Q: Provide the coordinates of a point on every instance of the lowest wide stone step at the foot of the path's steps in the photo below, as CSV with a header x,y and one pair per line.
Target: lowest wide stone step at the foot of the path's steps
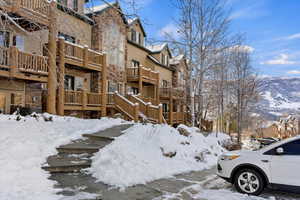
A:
x,y
66,163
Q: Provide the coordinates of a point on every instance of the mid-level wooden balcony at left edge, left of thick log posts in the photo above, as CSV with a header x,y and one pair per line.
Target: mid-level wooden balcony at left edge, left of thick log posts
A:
x,y
23,65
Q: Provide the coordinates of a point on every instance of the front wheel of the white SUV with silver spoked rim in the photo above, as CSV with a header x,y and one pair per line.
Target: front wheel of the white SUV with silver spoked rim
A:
x,y
249,181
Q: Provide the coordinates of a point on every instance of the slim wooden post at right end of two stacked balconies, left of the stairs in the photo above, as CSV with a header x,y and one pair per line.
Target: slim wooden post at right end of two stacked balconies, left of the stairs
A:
x,y
104,86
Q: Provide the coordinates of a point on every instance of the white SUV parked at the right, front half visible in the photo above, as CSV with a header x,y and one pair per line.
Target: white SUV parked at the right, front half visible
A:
x,y
276,166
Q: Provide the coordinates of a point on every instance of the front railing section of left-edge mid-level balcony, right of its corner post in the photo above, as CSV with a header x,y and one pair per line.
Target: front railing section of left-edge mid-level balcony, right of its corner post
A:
x,y
32,63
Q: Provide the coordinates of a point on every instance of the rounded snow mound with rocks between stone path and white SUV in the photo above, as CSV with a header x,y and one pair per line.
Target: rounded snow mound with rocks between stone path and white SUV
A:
x,y
137,156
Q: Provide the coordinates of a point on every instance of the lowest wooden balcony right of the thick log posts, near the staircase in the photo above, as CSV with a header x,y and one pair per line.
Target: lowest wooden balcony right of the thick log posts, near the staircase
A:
x,y
82,100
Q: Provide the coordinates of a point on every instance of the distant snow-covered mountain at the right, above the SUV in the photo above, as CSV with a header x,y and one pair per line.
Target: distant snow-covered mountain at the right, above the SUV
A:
x,y
279,96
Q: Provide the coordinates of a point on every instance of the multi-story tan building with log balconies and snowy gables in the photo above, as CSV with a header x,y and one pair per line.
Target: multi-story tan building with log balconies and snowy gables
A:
x,y
66,59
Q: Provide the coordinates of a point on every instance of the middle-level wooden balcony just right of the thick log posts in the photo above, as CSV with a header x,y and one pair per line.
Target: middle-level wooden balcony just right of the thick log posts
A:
x,y
80,56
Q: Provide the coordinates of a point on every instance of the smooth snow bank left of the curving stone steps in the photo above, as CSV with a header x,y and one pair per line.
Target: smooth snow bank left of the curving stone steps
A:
x,y
25,145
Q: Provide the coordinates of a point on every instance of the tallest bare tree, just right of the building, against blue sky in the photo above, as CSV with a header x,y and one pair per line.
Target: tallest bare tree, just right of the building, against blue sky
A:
x,y
202,29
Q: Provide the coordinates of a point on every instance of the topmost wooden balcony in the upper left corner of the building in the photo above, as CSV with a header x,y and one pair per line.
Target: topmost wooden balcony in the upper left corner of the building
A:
x,y
36,11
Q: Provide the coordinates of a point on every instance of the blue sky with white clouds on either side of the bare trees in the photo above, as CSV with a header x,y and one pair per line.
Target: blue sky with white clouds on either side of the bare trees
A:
x,y
272,29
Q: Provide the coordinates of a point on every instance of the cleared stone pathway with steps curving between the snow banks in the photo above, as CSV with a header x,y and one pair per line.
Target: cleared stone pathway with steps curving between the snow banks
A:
x,y
67,169
